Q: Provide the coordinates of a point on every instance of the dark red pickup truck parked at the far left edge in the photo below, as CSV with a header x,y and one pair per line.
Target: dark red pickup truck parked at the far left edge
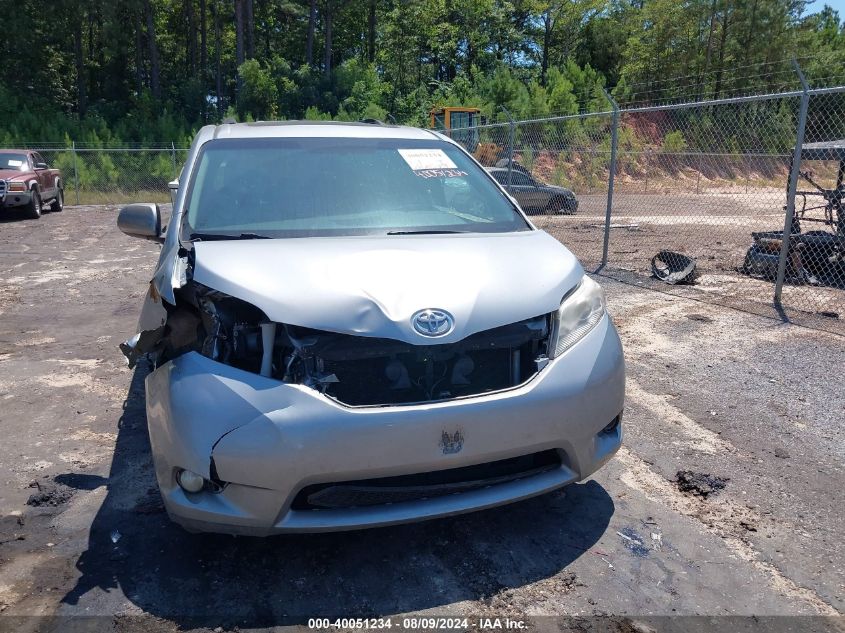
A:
x,y
26,181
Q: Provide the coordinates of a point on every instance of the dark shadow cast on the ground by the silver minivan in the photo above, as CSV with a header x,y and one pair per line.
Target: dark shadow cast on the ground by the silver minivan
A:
x,y
212,580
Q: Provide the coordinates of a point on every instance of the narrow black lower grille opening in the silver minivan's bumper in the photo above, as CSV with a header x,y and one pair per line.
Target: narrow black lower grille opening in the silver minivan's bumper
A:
x,y
417,487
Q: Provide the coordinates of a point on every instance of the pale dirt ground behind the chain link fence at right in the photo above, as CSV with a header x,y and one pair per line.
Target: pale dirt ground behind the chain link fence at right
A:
x,y
714,228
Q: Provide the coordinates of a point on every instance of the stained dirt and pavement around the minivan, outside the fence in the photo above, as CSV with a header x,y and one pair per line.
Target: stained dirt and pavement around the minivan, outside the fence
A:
x,y
755,404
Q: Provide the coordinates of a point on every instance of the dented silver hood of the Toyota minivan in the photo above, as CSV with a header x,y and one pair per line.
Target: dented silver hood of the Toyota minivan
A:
x,y
372,286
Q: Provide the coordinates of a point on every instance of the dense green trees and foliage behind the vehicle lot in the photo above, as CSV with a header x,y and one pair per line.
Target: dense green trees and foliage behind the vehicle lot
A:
x,y
140,72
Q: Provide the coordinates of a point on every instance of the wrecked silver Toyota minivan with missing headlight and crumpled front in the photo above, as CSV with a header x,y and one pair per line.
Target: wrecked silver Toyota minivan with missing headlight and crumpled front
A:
x,y
353,325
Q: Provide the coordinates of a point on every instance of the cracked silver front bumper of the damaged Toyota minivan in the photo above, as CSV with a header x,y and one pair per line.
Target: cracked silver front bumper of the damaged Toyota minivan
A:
x,y
269,440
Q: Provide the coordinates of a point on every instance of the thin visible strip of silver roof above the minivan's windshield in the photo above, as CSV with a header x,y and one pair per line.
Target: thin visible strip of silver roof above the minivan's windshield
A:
x,y
325,129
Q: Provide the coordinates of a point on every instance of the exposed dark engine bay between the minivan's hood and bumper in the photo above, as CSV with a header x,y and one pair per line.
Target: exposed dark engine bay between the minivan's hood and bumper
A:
x,y
354,370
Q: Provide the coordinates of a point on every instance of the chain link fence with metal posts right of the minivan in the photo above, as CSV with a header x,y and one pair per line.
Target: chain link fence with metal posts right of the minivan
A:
x,y
719,182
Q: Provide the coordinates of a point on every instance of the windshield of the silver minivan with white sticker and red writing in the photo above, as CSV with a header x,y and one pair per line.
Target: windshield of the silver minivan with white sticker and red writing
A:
x,y
298,187
